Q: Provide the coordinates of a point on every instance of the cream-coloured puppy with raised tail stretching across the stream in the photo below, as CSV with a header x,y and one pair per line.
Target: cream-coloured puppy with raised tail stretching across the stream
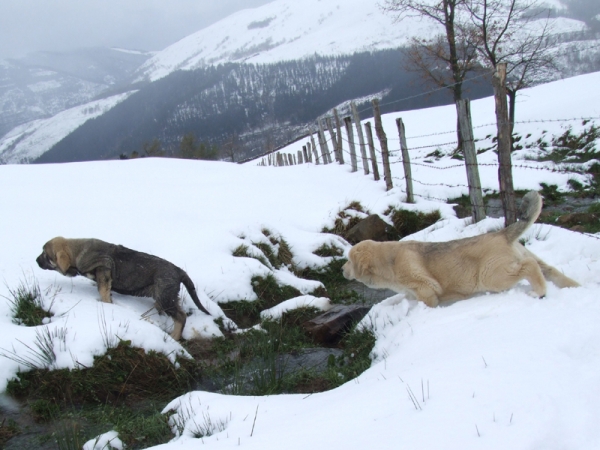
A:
x,y
454,270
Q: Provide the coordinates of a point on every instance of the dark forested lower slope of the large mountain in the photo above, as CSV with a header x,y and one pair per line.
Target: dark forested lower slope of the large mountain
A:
x,y
259,106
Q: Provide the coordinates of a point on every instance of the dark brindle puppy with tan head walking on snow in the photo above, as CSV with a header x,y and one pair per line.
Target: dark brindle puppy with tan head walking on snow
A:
x,y
122,270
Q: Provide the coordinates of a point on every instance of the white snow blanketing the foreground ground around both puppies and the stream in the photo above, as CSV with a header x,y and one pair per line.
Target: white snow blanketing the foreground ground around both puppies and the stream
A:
x,y
495,371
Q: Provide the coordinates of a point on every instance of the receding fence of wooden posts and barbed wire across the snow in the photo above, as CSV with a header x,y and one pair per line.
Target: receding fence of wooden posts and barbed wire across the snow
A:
x,y
401,155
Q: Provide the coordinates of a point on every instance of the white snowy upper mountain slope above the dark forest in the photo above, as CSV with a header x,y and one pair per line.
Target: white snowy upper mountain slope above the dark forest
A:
x,y
288,29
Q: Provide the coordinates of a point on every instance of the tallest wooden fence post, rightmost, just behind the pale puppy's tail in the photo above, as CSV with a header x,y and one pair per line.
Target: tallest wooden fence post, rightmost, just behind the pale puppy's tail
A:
x,y
507,192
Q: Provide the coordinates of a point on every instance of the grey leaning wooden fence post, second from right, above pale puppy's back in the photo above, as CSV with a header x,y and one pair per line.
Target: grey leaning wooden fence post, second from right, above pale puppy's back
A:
x,y
468,146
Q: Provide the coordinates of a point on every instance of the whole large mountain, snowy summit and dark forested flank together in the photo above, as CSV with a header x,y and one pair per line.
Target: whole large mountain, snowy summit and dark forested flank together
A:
x,y
259,79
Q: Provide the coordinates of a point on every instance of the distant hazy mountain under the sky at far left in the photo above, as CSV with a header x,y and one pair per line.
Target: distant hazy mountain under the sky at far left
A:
x,y
43,84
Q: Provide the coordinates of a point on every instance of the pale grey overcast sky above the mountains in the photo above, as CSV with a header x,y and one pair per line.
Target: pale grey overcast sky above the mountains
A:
x,y
31,25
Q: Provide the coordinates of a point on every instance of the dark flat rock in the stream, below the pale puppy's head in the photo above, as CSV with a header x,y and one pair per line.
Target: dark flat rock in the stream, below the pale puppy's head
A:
x,y
330,326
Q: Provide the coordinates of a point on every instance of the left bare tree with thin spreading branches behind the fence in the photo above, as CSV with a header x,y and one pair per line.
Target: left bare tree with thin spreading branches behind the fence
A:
x,y
446,58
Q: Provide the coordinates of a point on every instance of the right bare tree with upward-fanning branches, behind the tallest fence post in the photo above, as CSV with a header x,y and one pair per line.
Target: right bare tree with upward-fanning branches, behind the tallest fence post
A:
x,y
518,33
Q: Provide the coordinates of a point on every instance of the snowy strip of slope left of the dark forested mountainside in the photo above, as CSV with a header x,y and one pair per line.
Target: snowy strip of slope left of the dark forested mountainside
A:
x,y
32,139
